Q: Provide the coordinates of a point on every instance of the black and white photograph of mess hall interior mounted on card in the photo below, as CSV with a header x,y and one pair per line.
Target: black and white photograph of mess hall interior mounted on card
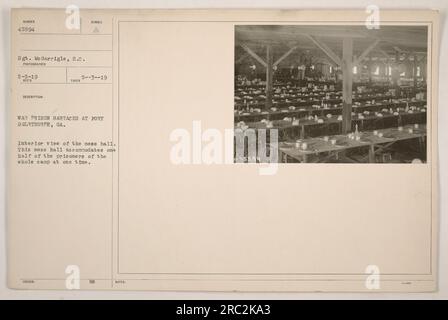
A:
x,y
331,93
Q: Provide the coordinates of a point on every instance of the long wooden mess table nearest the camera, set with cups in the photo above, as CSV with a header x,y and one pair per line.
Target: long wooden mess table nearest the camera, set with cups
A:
x,y
320,150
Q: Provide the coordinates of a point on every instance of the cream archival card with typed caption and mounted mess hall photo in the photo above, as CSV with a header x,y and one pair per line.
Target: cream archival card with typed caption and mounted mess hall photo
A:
x,y
223,150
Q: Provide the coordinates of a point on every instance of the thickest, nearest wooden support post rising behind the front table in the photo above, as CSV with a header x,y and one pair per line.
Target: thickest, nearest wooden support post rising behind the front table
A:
x,y
347,84
